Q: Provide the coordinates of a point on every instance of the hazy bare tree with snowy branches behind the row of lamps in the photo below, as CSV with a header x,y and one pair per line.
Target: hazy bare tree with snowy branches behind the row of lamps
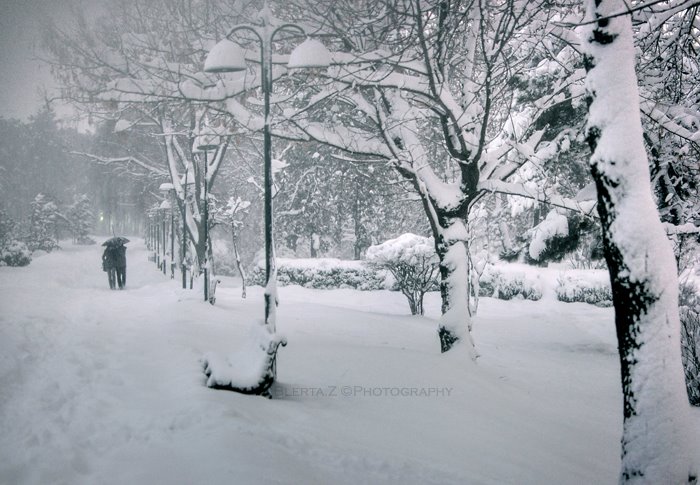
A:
x,y
125,71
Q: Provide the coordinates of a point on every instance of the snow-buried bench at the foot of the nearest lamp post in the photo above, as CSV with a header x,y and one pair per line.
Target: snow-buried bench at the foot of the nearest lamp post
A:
x,y
251,370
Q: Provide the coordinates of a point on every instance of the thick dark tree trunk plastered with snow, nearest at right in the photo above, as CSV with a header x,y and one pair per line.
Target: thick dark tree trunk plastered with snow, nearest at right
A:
x,y
657,444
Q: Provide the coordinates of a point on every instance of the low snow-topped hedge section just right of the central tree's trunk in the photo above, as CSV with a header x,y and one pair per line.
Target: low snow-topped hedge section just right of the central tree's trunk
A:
x,y
506,282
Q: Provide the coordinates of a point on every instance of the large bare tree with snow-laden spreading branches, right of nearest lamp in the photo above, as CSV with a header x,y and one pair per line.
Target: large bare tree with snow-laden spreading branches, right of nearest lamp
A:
x,y
431,87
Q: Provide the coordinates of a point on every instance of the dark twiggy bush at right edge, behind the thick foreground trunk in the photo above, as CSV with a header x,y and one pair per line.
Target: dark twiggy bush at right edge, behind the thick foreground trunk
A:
x,y
689,306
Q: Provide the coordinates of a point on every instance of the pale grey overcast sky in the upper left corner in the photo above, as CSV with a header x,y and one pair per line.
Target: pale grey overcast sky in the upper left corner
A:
x,y
22,75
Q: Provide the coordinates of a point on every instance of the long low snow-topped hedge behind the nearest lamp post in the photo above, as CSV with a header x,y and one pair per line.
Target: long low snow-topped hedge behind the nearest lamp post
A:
x,y
322,273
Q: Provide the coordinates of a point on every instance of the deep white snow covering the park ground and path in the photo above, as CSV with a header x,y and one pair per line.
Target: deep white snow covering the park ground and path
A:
x,y
100,386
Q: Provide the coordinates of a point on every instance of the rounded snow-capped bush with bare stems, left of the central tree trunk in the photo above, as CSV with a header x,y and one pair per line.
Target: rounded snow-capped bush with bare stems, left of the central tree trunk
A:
x,y
412,261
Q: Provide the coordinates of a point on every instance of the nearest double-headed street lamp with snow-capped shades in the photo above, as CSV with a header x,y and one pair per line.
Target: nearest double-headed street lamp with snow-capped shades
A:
x,y
227,56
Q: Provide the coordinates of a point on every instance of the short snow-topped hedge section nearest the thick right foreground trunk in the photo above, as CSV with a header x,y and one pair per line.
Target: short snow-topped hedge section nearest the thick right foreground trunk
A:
x,y
587,286
